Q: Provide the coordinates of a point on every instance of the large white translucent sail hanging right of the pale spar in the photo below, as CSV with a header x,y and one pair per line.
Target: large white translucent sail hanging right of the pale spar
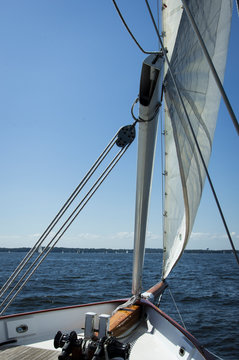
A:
x,y
184,172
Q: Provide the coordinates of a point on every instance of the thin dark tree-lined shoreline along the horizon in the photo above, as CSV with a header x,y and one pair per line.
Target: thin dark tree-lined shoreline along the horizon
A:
x,y
106,250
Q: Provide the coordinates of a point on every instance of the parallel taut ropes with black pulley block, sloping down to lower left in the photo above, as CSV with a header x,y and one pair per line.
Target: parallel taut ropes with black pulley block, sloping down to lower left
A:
x,y
123,138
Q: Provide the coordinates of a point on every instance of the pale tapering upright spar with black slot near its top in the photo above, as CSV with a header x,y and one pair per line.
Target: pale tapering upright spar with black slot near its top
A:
x,y
150,85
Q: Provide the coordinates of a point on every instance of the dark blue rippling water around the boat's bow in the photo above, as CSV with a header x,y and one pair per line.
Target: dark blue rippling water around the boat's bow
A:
x,y
205,287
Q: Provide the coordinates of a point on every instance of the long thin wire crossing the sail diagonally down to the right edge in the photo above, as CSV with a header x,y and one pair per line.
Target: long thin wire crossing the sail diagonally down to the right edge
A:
x,y
194,136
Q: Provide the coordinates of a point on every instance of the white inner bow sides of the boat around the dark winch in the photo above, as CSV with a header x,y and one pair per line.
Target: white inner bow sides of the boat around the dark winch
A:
x,y
155,336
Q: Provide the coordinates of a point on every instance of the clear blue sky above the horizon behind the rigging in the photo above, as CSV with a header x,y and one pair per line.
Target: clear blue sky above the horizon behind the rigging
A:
x,y
69,73
